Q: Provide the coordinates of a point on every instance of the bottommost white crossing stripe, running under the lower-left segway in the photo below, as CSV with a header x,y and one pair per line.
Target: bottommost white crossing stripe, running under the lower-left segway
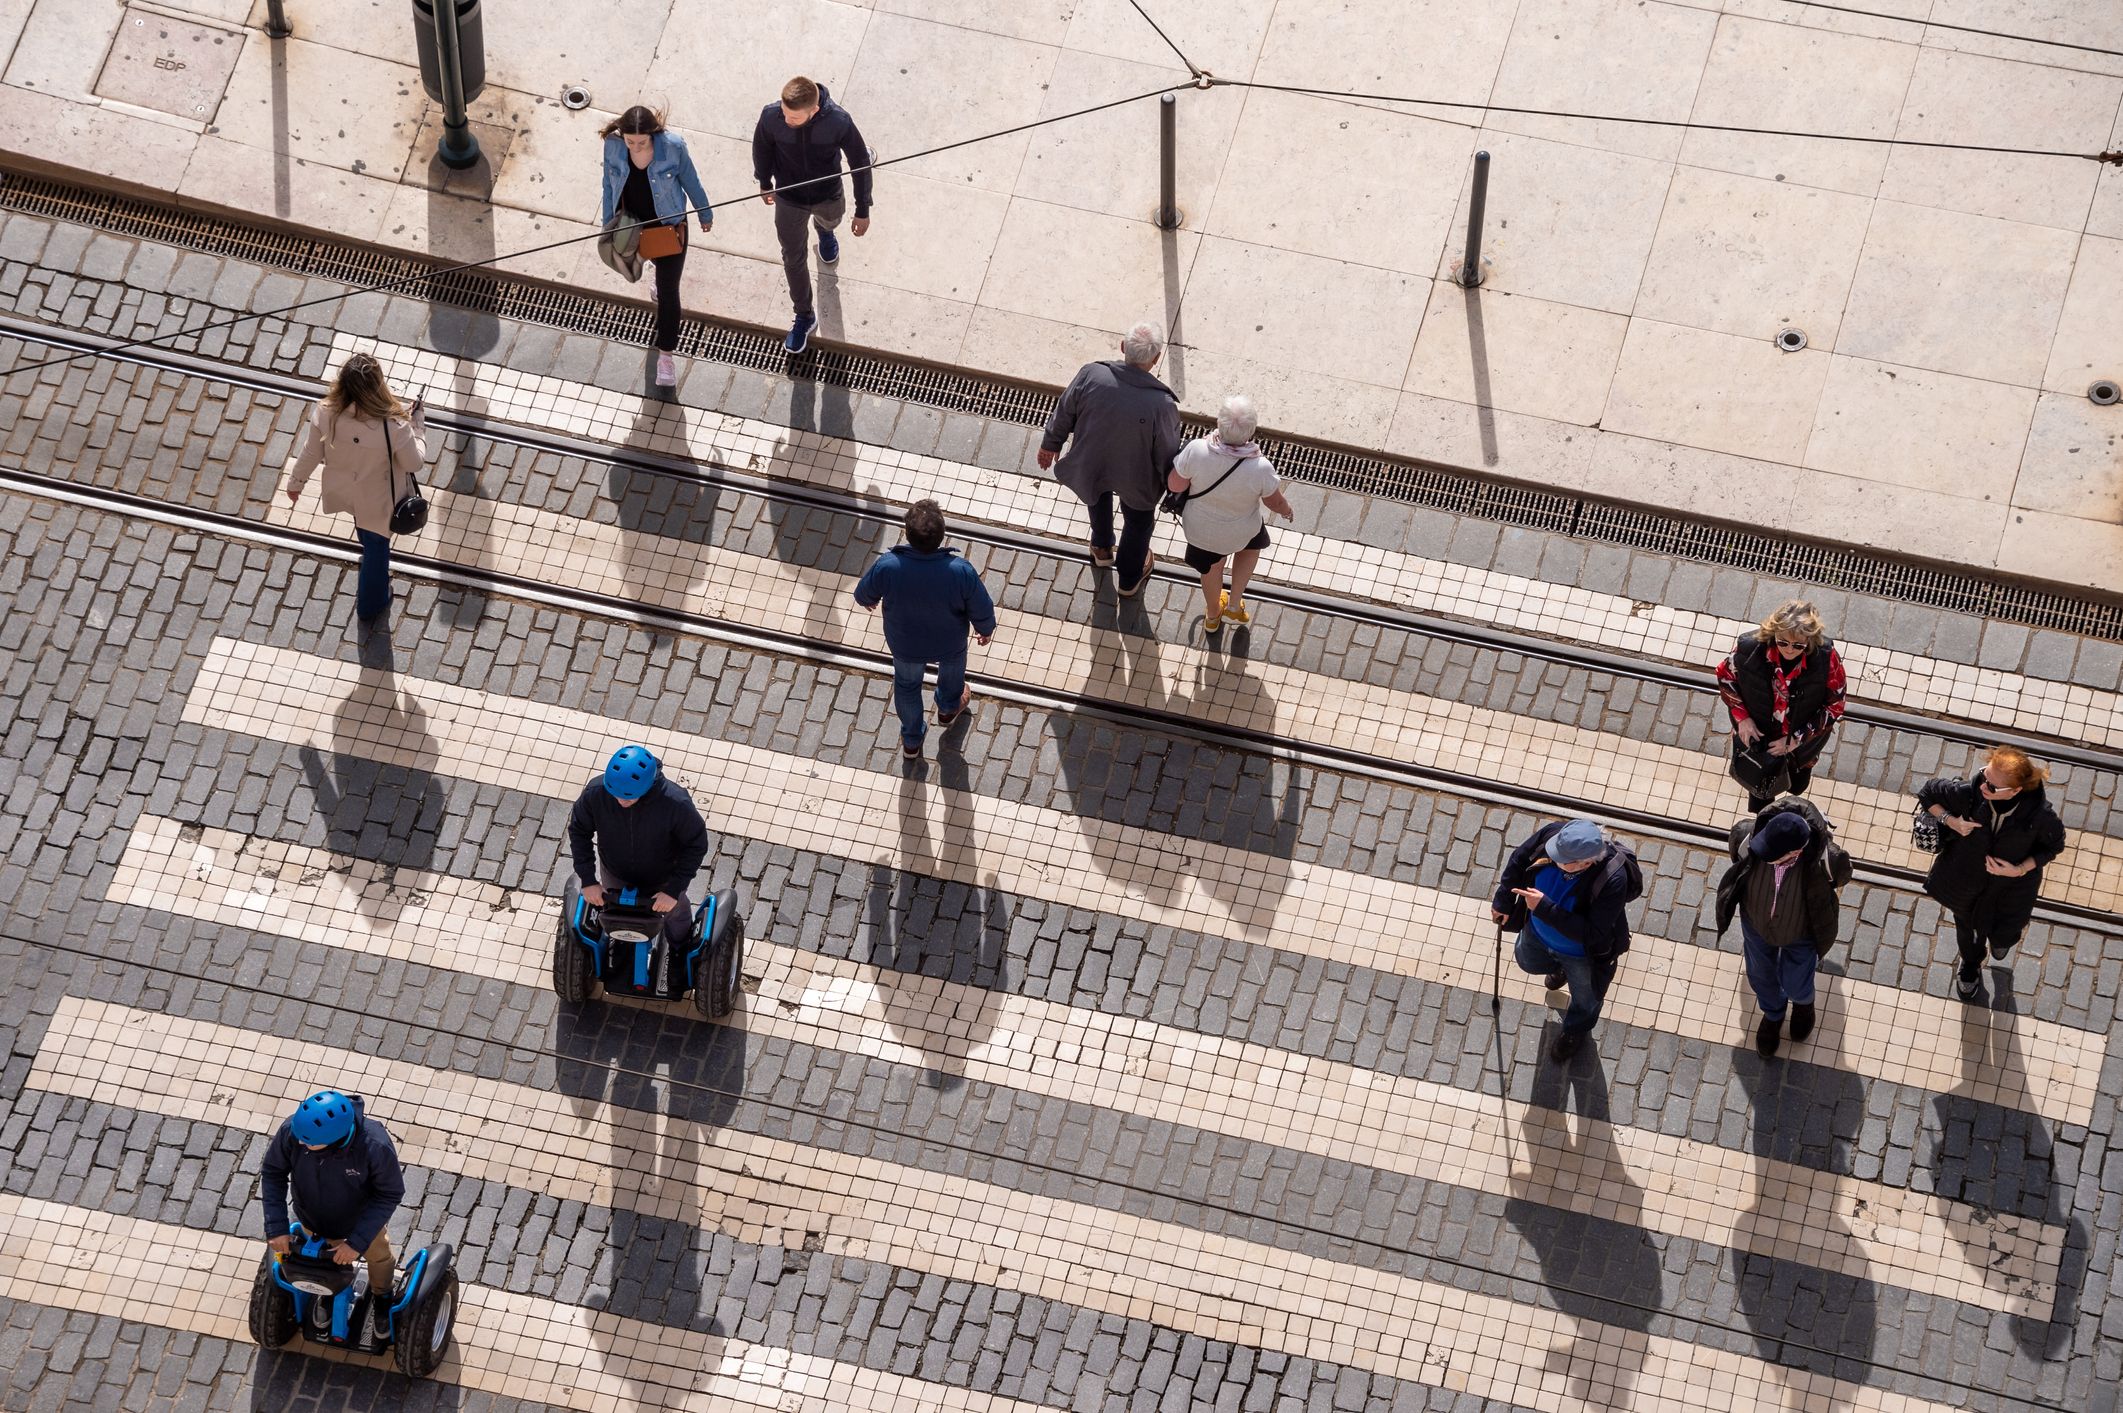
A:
x,y
506,1344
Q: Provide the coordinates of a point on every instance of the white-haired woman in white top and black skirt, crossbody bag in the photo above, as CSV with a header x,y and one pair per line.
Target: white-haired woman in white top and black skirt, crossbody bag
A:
x,y
1230,487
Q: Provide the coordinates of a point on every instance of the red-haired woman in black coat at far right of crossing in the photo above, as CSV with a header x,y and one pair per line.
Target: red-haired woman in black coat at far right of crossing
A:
x,y
1997,831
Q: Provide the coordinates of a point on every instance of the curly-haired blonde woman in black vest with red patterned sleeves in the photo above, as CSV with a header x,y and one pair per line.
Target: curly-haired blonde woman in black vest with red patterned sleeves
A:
x,y
1784,688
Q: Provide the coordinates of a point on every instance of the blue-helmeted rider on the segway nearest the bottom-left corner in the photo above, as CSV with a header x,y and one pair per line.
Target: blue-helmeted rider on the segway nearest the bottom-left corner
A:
x,y
347,1181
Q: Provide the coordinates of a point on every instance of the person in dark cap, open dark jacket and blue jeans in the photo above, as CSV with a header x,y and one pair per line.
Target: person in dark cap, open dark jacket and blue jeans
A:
x,y
1782,886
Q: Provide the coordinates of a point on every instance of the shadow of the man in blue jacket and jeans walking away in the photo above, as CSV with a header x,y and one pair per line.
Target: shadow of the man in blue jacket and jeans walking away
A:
x,y
939,930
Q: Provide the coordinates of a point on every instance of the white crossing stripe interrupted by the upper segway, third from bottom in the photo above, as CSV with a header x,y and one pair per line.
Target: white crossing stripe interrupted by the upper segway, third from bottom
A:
x,y
1256,1094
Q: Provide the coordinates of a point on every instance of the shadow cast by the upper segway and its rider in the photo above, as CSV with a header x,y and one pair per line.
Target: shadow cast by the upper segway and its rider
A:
x,y
651,1085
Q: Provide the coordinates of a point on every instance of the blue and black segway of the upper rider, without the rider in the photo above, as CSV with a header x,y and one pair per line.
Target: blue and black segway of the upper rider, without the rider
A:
x,y
621,949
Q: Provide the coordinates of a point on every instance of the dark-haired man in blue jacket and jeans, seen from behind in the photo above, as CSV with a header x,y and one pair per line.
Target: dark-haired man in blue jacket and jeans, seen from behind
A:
x,y
931,599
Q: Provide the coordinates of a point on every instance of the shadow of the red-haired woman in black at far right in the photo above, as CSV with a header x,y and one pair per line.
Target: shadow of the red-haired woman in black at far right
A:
x,y
2003,1162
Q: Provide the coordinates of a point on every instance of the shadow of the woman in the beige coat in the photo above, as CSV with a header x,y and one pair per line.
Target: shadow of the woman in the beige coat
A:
x,y
375,812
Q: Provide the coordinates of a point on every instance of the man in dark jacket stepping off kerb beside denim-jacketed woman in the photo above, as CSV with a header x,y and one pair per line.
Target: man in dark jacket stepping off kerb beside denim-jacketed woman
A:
x,y
797,152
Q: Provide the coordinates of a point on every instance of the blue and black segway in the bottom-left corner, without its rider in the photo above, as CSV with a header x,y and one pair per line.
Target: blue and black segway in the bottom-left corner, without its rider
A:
x,y
309,1293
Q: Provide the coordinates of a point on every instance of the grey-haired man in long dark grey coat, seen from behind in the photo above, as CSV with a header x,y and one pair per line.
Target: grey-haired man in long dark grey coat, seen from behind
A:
x,y
1124,430
